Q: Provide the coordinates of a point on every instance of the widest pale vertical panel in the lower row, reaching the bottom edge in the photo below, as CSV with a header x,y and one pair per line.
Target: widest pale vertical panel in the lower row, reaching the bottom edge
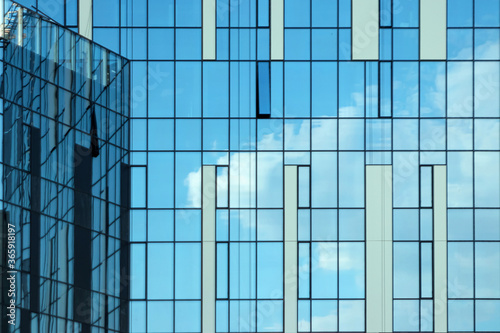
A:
x,y
378,248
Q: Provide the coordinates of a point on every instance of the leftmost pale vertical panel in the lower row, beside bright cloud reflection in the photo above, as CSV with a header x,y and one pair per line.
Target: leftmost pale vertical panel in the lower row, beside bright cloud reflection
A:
x,y
208,249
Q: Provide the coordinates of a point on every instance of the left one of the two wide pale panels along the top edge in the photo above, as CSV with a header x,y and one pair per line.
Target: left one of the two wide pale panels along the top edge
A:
x,y
365,29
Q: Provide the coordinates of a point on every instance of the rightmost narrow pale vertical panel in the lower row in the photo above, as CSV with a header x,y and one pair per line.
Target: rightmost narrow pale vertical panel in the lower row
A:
x,y
440,250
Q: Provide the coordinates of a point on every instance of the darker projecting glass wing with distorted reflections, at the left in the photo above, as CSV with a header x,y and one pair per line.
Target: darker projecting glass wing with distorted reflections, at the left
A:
x,y
65,180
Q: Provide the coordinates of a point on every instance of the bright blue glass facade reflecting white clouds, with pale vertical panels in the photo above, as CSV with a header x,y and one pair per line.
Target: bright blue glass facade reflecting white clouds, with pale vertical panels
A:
x,y
309,165
